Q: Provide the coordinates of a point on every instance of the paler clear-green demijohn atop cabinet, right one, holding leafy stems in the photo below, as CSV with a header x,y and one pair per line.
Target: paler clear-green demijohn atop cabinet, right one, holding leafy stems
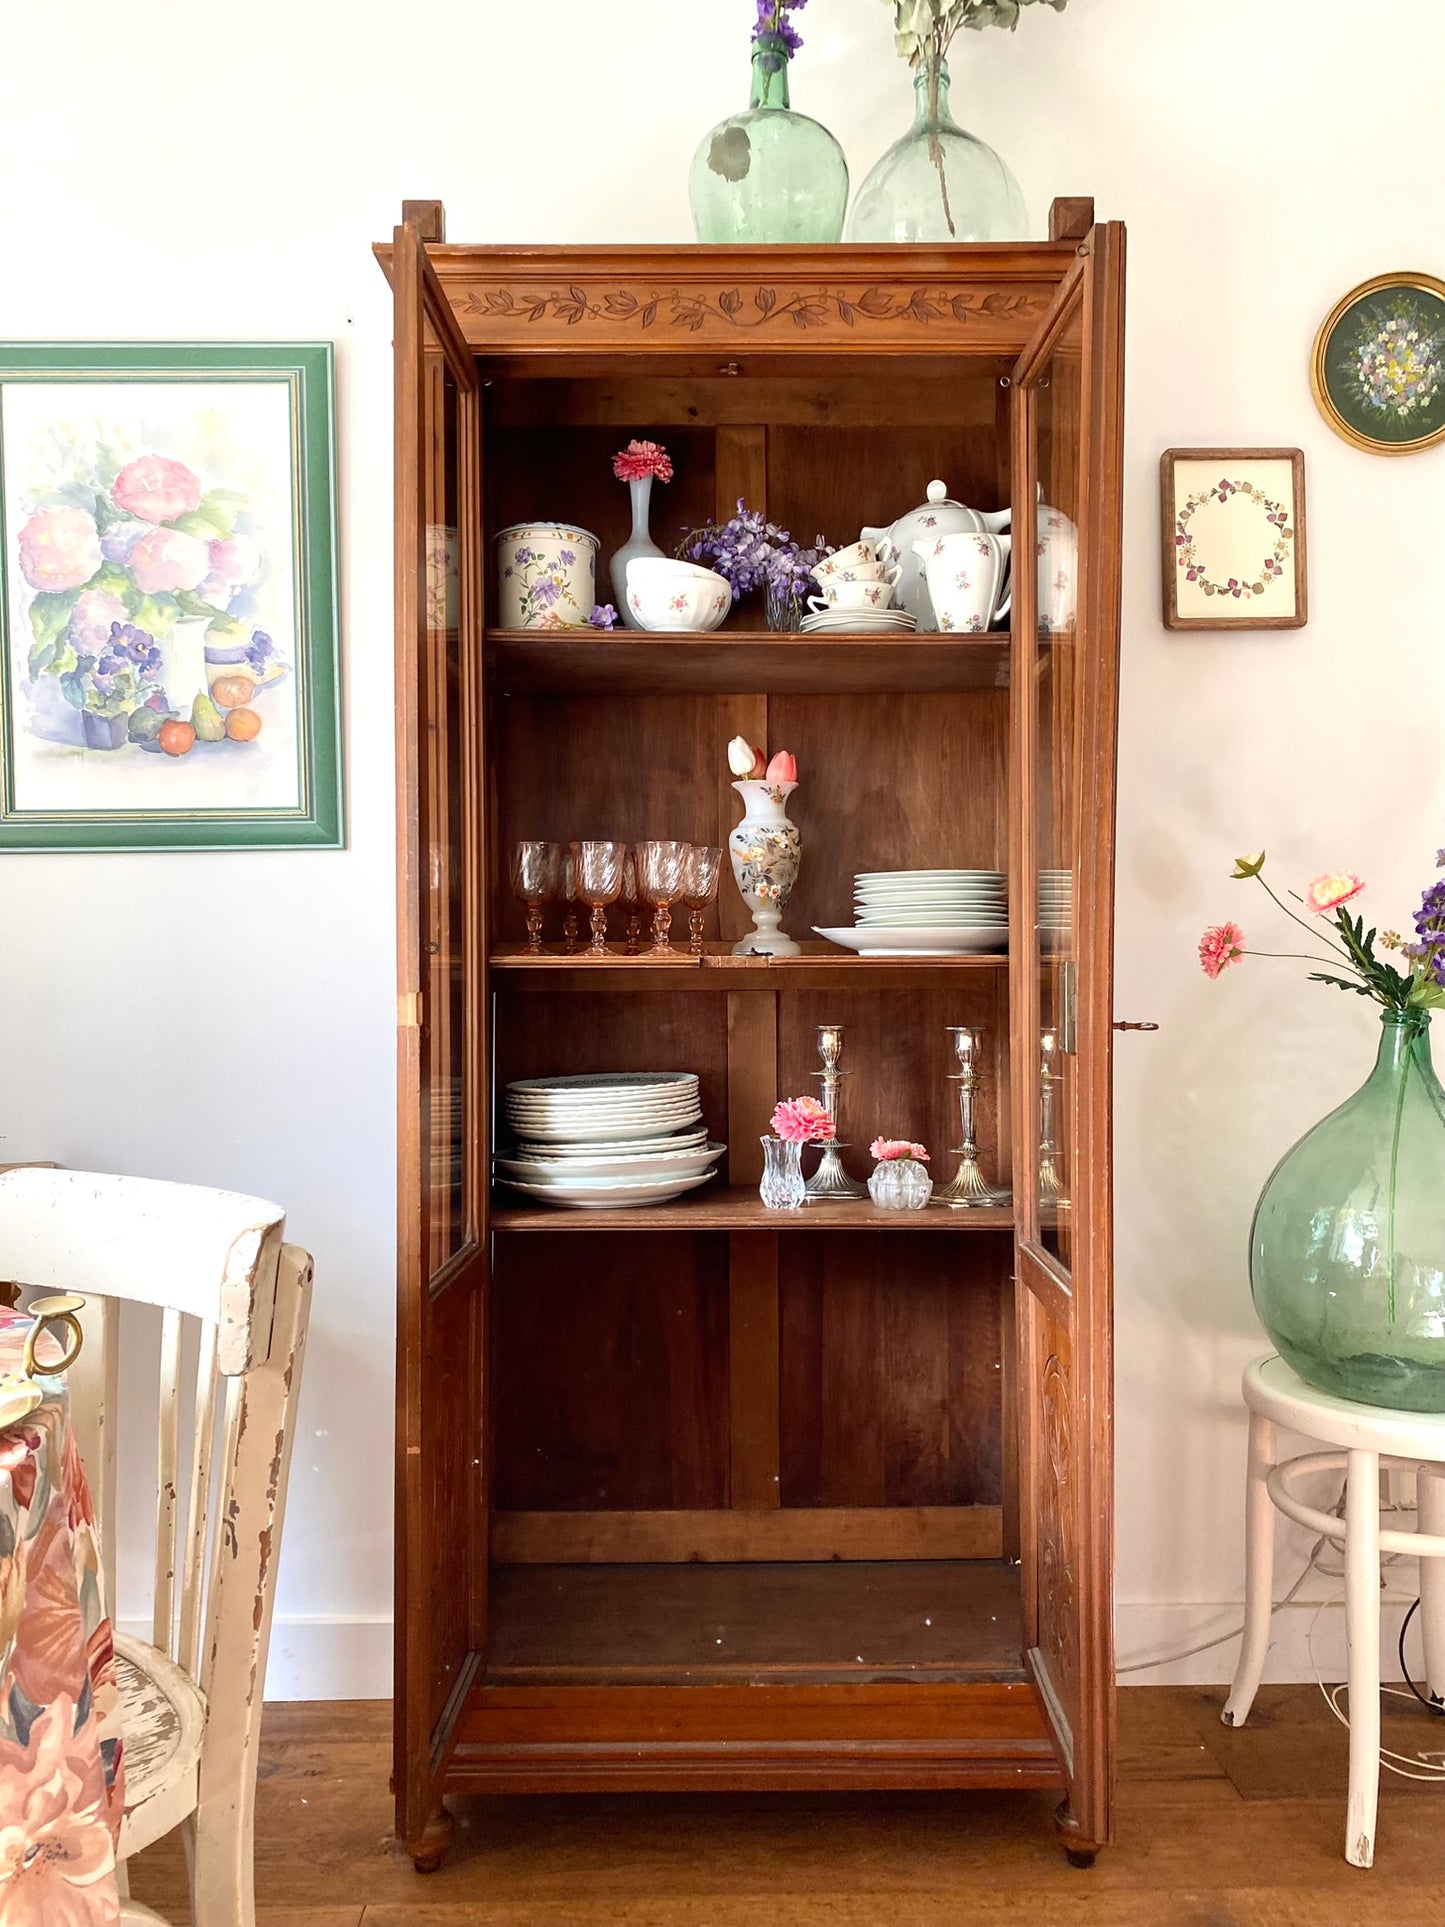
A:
x,y
939,182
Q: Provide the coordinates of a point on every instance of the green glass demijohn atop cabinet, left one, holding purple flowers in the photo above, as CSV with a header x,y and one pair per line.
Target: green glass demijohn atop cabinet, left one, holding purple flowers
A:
x,y
770,174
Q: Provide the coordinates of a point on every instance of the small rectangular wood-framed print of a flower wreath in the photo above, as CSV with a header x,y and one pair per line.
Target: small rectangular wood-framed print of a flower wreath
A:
x,y
1234,539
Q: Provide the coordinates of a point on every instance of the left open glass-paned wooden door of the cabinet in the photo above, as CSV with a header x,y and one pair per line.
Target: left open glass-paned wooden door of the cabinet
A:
x,y
442,1151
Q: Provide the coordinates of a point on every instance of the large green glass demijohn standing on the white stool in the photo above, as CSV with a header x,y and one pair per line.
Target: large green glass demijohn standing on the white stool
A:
x,y
1348,1250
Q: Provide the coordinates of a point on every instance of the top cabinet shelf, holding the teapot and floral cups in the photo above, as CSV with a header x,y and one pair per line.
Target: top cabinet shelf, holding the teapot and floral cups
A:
x,y
731,662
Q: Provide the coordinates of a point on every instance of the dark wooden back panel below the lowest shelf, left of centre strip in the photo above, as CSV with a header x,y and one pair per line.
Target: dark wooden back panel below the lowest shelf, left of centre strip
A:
x,y
610,1371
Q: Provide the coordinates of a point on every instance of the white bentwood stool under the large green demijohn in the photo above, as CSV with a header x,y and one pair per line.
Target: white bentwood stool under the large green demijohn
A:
x,y
1365,1439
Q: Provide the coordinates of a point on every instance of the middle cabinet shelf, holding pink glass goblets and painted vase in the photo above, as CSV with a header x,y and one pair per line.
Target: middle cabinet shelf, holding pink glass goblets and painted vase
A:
x,y
820,968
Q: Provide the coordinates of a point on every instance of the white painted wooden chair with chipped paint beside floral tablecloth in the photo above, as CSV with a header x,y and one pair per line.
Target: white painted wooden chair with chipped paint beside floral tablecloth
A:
x,y
190,1699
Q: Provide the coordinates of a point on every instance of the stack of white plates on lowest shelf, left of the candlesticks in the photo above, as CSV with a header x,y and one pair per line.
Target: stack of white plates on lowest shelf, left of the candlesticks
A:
x,y
608,1142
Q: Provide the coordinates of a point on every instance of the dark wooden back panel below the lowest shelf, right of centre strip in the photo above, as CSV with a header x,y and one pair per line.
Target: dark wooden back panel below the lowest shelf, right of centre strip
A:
x,y
891,1369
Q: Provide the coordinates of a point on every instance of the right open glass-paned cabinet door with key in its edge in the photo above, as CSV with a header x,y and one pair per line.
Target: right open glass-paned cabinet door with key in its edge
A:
x,y
1064,673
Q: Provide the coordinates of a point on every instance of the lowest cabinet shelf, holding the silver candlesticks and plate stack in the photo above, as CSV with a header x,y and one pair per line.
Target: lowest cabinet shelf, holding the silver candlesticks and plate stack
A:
x,y
741,1209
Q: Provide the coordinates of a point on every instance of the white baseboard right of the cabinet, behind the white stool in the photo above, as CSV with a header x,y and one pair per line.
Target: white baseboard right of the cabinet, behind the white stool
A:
x,y
1149,1631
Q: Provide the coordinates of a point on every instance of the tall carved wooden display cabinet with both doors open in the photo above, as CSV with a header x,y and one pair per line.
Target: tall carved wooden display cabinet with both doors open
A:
x,y
706,1496
